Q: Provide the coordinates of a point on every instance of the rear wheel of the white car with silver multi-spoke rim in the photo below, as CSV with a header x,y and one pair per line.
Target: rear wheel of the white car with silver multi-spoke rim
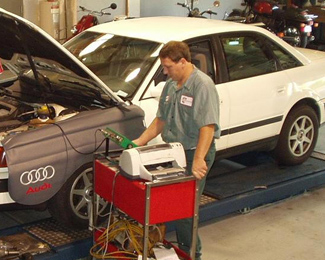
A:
x,y
298,136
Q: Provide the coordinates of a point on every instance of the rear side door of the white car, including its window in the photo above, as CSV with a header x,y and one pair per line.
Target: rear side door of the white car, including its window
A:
x,y
258,88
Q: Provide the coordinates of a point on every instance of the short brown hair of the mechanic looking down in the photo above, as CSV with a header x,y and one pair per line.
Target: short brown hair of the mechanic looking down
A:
x,y
175,50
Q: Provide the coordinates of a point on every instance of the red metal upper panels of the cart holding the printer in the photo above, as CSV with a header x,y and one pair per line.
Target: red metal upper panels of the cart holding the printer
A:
x,y
167,202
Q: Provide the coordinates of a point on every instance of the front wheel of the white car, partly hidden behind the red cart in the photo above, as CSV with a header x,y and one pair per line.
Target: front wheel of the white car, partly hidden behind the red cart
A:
x,y
71,204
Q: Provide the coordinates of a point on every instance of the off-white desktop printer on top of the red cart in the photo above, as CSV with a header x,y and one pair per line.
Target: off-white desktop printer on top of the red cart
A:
x,y
154,162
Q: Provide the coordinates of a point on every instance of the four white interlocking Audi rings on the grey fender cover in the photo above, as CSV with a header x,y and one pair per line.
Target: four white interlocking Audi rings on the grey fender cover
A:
x,y
37,175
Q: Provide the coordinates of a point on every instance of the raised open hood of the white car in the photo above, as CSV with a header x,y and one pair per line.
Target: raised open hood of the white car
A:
x,y
26,45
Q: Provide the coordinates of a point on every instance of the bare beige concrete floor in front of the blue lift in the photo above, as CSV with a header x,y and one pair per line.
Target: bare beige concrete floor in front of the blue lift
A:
x,y
289,229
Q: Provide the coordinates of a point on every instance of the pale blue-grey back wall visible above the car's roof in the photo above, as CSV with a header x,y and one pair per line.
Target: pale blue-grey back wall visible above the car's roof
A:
x,y
170,7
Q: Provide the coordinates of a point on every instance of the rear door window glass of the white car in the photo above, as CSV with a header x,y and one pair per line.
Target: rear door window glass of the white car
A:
x,y
246,56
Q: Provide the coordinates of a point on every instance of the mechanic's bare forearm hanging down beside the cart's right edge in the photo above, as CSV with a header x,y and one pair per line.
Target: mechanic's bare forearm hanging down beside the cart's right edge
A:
x,y
199,167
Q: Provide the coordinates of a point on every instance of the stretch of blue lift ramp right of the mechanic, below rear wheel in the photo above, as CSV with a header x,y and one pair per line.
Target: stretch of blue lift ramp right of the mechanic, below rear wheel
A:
x,y
246,187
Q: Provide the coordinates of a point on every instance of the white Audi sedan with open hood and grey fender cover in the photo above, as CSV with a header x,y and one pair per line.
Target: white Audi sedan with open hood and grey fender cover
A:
x,y
272,98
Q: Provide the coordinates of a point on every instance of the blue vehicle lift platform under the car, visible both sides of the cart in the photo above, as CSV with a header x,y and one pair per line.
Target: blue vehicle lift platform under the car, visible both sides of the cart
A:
x,y
231,187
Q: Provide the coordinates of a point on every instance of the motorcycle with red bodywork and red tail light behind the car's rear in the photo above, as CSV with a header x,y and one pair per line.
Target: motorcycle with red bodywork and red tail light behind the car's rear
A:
x,y
292,24
